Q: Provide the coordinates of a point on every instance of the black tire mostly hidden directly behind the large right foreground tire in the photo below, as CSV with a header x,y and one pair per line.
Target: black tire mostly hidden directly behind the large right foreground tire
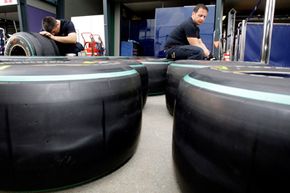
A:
x,y
179,68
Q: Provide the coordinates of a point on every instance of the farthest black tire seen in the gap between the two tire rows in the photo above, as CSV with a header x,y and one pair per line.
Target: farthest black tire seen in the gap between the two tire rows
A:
x,y
156,75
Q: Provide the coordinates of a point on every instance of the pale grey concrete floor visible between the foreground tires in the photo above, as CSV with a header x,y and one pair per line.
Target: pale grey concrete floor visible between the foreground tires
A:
x,y
150,170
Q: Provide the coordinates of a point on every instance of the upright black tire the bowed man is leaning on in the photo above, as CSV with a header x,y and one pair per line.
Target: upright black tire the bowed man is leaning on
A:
x,y
30,44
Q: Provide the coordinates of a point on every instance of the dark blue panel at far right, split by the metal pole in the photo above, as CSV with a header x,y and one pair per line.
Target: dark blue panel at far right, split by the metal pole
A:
x,y
280,48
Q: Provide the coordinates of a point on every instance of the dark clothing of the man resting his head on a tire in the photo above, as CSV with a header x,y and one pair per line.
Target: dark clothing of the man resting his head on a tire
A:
x,y
66,27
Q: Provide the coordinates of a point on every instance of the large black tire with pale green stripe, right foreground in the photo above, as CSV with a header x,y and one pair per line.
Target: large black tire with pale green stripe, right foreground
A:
x,y
231,130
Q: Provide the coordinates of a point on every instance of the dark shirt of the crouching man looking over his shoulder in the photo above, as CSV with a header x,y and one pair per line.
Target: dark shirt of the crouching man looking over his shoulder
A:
x,y
179,35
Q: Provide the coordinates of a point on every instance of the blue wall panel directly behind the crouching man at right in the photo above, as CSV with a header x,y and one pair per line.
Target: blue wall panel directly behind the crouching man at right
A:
x,y
166,19
